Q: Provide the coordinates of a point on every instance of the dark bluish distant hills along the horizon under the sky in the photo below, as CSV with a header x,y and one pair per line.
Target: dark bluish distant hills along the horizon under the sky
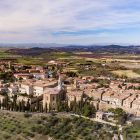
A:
x,y
35,49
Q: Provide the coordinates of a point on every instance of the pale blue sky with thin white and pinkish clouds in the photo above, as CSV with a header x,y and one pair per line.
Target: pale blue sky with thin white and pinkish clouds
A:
x,y
70,21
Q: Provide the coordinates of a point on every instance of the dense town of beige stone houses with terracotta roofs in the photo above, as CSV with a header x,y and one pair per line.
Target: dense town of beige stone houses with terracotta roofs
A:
x,y
37,82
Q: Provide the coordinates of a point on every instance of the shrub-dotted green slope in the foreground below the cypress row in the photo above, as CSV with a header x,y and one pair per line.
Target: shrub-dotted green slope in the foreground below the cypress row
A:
x,y
22,126
